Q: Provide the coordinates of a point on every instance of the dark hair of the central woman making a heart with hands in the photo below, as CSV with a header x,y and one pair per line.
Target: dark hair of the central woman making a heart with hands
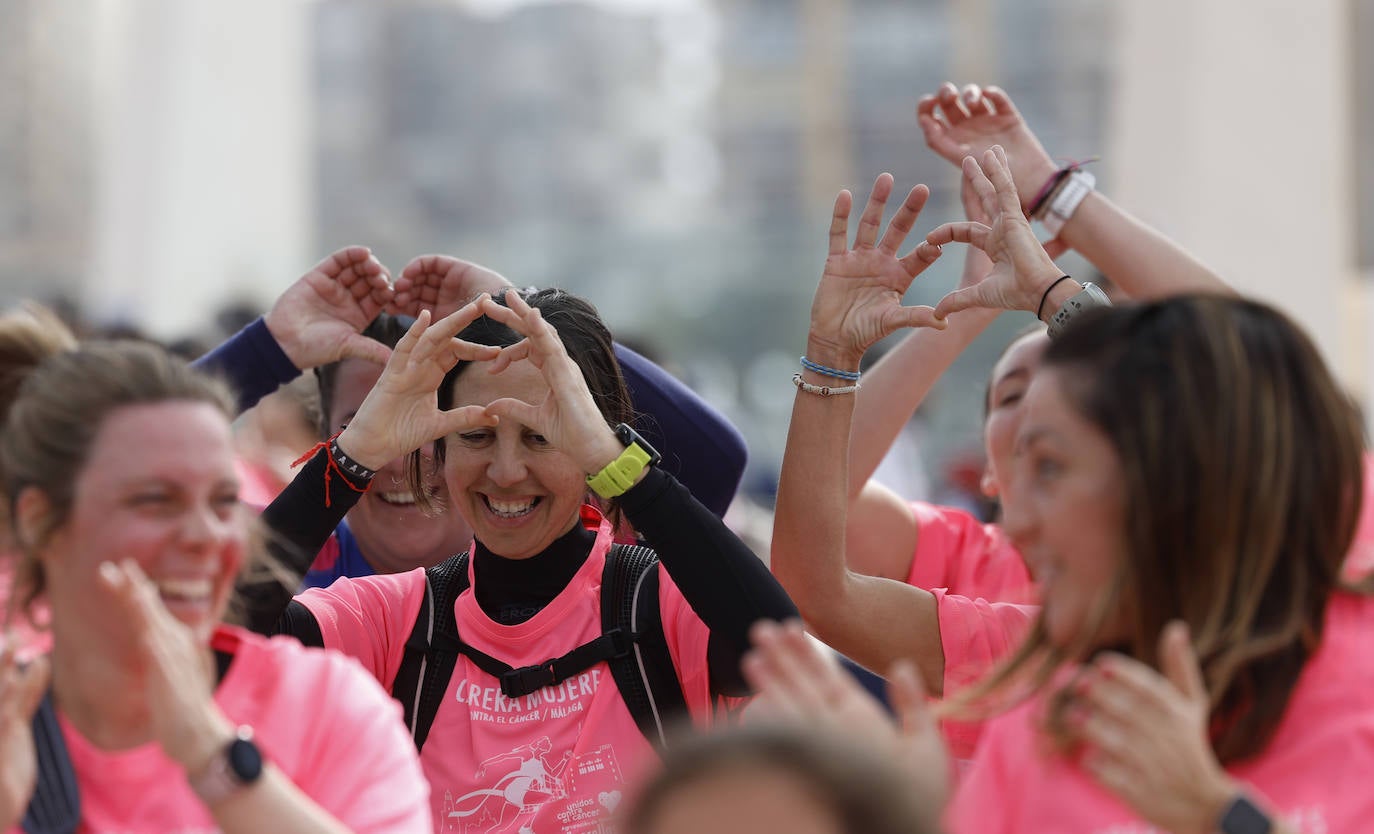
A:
x,y
587,343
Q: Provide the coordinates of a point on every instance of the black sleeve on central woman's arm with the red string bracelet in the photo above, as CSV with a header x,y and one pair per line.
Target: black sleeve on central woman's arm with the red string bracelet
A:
x,y
299,524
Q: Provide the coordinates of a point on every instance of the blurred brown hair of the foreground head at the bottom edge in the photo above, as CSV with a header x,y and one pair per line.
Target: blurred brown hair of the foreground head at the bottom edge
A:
x,y
865,793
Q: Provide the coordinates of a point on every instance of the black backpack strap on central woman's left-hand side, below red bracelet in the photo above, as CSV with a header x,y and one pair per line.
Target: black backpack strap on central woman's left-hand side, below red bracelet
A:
x,y
431,652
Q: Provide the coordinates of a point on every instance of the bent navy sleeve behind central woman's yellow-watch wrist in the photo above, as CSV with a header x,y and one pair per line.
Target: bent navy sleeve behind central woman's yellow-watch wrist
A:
x,y
700,447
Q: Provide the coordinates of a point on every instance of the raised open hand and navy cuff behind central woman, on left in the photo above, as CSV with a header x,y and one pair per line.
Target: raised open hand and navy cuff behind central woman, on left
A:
x,y
317,321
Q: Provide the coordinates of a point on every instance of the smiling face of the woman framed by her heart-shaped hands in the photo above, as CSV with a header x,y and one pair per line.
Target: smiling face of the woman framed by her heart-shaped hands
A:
x,y
517,491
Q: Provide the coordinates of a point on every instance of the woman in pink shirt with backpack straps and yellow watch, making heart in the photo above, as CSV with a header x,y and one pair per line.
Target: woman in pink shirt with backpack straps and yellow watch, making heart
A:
x,y
523,399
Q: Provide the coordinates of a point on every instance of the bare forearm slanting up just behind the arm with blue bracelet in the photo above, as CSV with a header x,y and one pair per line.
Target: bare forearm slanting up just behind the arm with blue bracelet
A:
x,y
899,383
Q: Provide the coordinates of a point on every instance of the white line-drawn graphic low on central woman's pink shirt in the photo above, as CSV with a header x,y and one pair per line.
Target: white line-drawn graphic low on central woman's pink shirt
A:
x,y
589,788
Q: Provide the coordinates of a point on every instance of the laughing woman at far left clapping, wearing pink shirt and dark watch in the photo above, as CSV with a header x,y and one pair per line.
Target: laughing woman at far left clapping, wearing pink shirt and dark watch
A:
x,y
123,502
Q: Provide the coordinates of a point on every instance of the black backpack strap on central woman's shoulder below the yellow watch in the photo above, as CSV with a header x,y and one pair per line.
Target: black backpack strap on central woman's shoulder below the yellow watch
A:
x,y
646,675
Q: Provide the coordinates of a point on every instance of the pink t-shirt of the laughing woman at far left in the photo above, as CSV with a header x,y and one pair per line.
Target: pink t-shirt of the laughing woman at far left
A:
x,y
350,752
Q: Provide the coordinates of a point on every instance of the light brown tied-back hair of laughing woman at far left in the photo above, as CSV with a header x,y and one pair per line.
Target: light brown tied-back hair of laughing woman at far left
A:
x,y
57,396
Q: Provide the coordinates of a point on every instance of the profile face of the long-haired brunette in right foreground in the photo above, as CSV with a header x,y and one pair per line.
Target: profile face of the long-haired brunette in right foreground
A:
x,y
1066,510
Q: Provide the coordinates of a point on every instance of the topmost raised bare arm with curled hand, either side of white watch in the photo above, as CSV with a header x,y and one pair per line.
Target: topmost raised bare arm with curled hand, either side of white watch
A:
x,y
1140,260
